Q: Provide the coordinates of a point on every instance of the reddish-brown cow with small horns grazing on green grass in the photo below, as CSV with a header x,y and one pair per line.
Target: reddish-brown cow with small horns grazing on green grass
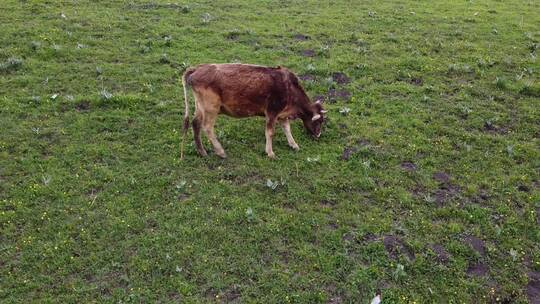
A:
x,y
242,90
